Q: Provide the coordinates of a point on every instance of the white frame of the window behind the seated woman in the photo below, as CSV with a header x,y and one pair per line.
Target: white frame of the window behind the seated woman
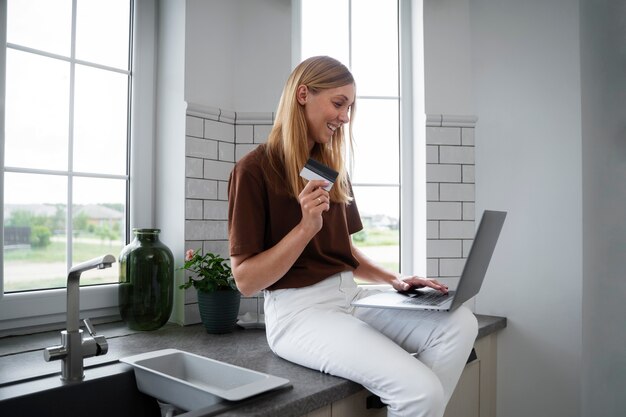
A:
x,y
412,130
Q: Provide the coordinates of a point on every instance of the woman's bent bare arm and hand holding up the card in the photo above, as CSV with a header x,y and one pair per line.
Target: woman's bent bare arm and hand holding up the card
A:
x,y
255,272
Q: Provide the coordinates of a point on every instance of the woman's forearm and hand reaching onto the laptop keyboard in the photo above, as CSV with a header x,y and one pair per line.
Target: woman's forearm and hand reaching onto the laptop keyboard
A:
x,y
368,270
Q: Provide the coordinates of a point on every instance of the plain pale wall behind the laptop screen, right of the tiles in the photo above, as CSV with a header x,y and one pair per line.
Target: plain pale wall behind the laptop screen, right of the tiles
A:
x,y
526,94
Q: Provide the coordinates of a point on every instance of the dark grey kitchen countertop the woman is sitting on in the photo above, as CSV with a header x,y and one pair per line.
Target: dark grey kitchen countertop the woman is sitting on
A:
x,y
21,358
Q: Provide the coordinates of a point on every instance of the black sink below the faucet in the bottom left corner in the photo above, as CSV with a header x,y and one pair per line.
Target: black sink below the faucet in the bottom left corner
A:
x,y
107,390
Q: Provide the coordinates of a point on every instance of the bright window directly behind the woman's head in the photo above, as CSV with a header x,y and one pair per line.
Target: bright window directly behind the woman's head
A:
x,y
365,36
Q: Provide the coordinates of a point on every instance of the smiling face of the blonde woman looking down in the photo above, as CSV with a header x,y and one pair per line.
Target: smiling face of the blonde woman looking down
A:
x,y
325,111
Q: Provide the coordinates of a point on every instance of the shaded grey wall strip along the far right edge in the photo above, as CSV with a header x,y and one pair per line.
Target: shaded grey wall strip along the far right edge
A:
x,y
603,53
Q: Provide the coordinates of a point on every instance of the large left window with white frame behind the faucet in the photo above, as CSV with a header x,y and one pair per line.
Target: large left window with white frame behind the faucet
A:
x,y
66,159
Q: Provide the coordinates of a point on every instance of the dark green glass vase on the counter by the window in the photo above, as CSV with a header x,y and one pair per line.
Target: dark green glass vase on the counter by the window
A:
x,y
146,284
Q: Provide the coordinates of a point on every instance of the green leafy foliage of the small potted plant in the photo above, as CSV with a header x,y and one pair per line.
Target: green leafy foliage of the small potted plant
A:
x,y
211,272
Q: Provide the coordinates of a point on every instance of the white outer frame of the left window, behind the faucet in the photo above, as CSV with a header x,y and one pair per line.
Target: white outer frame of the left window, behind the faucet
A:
x,y
21,312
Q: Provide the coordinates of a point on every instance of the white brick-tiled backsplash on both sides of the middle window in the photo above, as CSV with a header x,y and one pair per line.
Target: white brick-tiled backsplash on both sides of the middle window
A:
x,y
215,139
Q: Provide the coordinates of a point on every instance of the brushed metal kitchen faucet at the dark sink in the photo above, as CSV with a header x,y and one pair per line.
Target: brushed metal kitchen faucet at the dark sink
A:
x,y
74,347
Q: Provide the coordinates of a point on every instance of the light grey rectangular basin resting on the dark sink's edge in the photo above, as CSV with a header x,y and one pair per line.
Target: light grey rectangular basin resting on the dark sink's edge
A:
x,y
190,381
